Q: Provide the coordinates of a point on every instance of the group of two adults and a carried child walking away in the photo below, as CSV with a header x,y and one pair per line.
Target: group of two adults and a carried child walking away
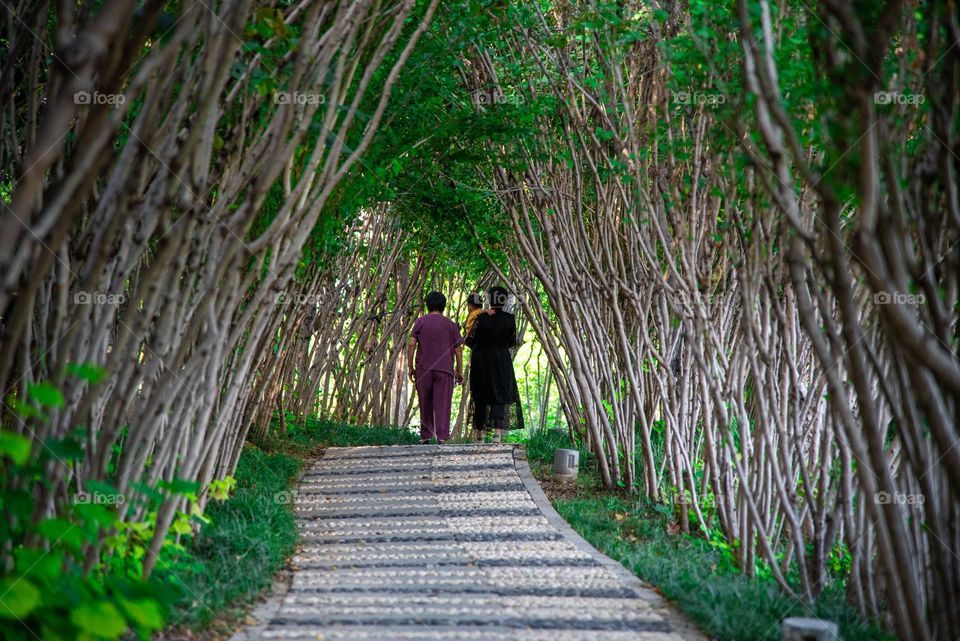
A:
x,y
435,354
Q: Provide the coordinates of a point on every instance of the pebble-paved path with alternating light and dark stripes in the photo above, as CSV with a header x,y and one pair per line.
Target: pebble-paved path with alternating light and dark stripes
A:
x,y
455,543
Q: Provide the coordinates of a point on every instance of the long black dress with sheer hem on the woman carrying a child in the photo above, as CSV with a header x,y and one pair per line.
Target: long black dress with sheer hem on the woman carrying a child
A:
x,y
493,385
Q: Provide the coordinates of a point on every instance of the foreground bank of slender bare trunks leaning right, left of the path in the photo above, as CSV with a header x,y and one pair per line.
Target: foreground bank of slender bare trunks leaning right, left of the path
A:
x,y
160,204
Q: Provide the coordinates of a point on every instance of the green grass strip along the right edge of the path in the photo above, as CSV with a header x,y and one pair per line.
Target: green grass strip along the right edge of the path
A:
x,y
698,578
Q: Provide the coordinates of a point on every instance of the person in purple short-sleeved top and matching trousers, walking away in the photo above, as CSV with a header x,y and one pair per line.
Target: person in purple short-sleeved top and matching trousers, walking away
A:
x,y
436,342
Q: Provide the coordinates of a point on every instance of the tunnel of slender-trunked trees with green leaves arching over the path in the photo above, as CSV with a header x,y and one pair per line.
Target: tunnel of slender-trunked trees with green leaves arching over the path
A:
x,y
732,231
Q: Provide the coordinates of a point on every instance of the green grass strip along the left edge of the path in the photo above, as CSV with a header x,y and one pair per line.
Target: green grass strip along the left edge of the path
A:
x,y
235,557
